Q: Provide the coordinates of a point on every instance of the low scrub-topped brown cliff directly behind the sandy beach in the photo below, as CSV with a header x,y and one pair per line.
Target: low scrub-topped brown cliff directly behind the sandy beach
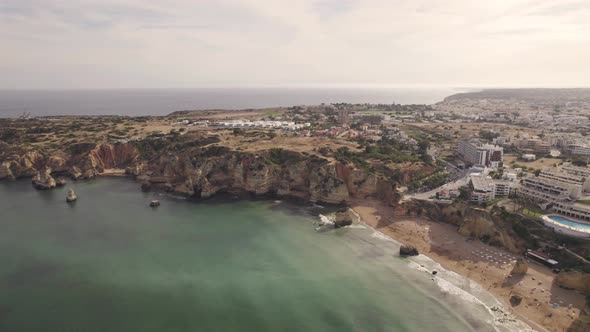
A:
x,y
471,221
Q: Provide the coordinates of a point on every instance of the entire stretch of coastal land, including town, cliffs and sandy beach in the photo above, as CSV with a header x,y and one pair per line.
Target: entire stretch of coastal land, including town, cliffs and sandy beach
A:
x,y
494,185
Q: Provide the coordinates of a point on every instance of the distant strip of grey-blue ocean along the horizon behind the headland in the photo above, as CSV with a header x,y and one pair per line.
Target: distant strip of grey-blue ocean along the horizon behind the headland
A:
x,y
137,102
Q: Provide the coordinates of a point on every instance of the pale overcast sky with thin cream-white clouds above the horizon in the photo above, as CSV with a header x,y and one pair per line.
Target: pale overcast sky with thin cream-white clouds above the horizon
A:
x,y
291,43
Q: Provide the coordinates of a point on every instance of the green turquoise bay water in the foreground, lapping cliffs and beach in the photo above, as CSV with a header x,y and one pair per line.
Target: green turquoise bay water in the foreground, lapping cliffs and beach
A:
x,y
110,263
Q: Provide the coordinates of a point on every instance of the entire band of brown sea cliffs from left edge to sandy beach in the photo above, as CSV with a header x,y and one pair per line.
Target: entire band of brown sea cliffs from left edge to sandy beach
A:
x,y
202,174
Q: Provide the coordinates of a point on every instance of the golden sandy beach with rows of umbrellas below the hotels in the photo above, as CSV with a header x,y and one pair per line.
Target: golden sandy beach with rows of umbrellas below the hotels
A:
x,y
545,306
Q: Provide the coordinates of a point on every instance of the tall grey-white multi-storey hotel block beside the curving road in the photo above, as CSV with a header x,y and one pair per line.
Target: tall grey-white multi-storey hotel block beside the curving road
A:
x,y
473,151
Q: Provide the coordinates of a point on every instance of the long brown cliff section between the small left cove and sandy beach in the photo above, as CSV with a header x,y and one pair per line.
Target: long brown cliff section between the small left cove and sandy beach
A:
x,y
312,179
